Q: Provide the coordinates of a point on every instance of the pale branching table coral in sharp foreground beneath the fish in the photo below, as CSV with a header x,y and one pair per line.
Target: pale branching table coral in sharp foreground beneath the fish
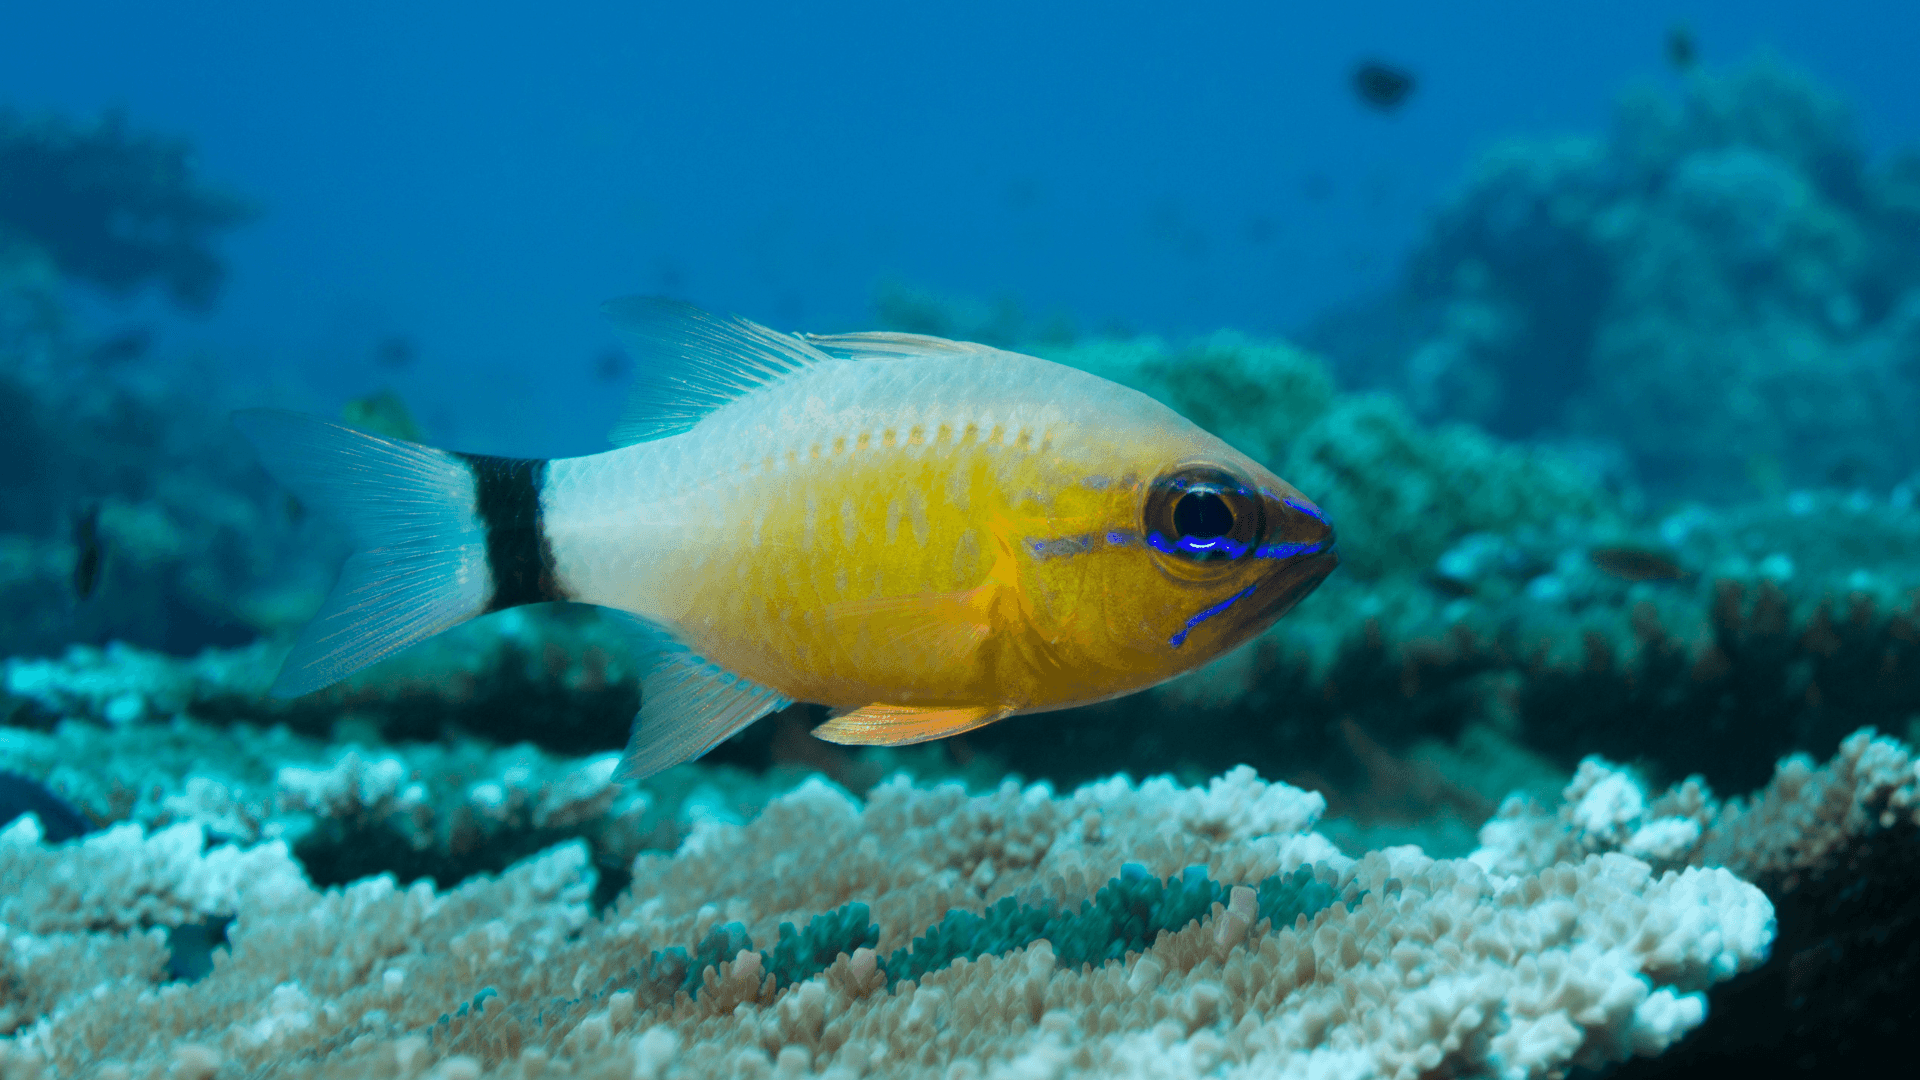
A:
x,y
1439,968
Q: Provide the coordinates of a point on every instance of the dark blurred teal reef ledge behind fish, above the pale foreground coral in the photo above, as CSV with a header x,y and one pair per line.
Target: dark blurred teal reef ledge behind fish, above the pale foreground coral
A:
x,y
1410,699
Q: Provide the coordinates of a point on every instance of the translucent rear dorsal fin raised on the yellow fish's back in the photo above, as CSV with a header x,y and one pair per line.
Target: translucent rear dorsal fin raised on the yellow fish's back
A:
x,y
688,362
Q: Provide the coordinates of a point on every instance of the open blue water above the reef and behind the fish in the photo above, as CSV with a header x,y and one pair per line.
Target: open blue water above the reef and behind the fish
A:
x,y
481,178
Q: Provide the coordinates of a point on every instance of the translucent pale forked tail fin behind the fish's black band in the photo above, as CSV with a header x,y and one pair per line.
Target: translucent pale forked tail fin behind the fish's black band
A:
x,y
423,545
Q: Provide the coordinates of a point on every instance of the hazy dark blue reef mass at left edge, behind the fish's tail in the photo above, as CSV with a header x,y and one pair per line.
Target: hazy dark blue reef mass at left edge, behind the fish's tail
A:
x,y
187,543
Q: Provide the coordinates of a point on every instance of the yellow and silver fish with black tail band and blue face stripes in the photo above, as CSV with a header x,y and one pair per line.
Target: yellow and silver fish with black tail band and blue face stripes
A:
x,y
923,535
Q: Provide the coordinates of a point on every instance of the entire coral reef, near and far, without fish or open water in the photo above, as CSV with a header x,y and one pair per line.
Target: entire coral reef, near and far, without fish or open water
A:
x,y
1625,470
